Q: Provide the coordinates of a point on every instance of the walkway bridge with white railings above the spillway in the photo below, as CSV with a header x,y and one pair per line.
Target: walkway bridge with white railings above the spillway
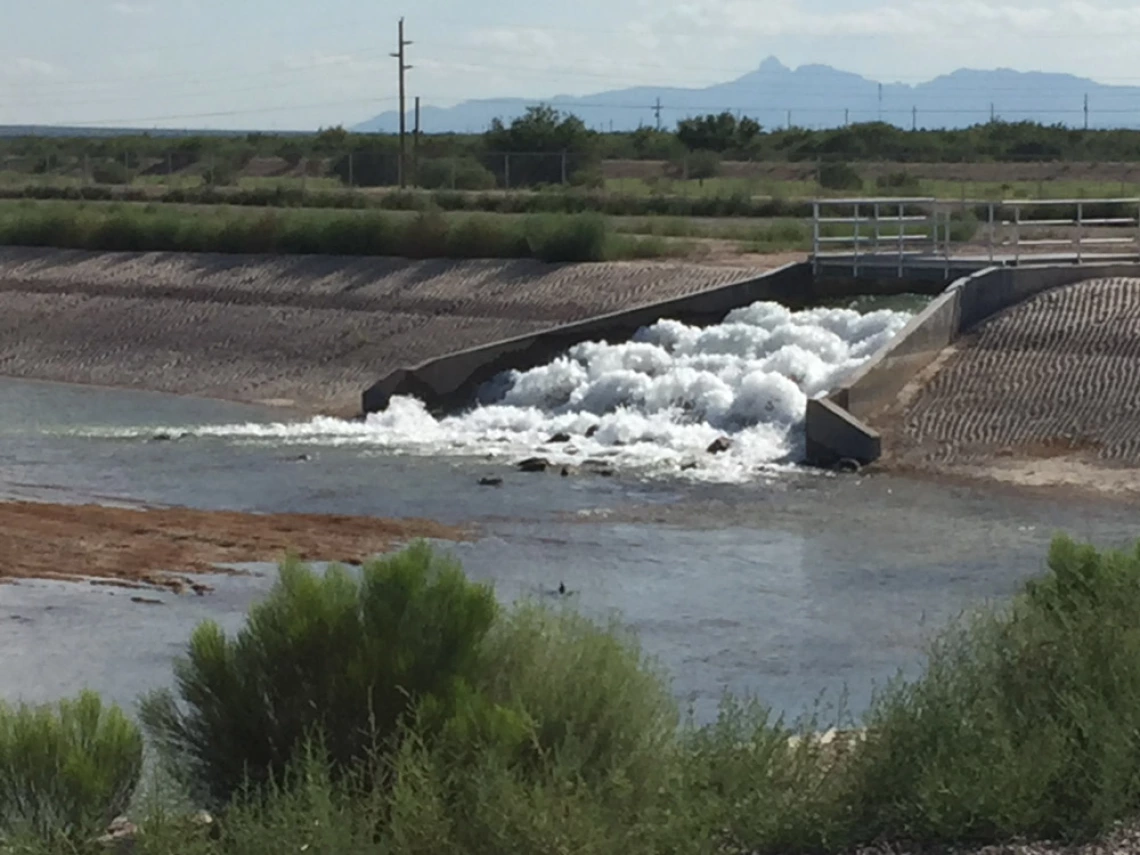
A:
x,y
925,239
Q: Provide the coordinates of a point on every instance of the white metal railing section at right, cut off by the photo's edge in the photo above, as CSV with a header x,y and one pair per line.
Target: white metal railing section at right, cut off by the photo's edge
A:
x,y
1020,235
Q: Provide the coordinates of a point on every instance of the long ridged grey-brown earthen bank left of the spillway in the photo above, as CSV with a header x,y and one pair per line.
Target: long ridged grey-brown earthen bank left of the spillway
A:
x,y
306,332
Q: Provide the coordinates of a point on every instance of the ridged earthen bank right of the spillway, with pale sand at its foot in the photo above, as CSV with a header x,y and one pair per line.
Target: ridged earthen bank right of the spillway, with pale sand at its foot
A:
x,y
1045,395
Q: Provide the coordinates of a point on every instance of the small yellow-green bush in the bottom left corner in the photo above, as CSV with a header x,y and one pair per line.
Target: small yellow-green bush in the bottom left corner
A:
x,y
66,771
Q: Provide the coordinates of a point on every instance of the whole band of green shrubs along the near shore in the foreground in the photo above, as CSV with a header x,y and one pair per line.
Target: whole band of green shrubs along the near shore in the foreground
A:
x,y
402,710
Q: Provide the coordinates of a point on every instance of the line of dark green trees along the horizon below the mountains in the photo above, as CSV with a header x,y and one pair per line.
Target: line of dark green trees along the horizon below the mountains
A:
x,y
560,149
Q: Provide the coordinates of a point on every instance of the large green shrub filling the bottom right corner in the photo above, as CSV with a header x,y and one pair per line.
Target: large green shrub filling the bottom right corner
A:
x,y
1027,721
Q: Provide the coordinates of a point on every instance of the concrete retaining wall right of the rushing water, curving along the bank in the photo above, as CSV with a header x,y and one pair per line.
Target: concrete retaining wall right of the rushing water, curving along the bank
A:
x,y
834,436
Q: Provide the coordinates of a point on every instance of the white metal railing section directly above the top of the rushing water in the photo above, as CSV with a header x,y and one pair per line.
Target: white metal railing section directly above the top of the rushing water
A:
x,y
866,230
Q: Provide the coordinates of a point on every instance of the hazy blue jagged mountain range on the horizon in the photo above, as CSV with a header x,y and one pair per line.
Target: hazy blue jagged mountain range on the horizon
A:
x,y
819,96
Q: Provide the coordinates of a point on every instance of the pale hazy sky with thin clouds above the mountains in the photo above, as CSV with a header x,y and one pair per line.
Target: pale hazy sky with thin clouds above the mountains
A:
x,y
289,64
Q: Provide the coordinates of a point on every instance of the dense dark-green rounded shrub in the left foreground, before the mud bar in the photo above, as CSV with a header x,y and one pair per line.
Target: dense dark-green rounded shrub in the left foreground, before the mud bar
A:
x,y
335,656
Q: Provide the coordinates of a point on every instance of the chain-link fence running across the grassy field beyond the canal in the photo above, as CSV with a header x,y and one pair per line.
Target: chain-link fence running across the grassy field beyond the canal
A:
x,y
696,175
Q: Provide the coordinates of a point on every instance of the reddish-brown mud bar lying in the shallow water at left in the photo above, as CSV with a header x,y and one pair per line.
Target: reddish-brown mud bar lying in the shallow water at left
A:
x,y
153,547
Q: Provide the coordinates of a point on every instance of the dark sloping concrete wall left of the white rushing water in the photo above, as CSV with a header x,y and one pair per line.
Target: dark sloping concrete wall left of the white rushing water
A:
x,y
452,381
